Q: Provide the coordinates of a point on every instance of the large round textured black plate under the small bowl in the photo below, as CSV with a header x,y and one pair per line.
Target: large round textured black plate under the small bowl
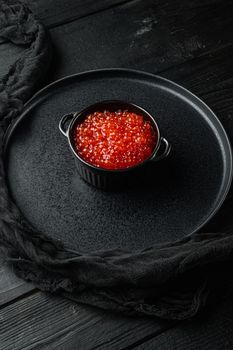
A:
x,y
182,193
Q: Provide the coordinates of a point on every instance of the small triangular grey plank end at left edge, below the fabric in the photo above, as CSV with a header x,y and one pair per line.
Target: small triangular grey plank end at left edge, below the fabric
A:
x,y
11,287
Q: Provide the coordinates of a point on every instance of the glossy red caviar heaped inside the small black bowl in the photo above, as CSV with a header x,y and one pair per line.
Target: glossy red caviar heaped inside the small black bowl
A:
x,y
114,140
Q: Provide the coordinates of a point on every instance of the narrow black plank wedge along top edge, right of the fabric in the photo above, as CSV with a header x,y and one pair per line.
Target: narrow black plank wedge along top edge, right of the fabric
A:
x,y
53,13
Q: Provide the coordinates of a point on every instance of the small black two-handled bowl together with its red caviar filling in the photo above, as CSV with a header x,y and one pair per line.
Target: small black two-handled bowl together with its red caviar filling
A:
x,y
112,141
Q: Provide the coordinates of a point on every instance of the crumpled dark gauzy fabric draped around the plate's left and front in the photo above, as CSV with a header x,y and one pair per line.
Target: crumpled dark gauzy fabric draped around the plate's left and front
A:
x,y
171,281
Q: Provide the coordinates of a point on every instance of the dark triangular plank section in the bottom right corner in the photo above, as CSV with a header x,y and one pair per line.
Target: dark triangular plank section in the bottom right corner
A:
x,y
211,331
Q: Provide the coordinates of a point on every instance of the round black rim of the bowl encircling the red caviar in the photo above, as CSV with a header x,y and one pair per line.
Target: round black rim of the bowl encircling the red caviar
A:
x,y
84,111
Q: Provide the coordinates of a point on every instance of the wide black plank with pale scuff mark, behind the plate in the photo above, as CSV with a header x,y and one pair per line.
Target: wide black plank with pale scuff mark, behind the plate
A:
x,y
151,37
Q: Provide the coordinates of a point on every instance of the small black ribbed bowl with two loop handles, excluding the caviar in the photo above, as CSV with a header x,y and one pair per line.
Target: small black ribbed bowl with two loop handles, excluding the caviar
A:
x,y
105,178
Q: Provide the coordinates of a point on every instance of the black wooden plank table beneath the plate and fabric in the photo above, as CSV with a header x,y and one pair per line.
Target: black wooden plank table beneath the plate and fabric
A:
x,y
190,42
